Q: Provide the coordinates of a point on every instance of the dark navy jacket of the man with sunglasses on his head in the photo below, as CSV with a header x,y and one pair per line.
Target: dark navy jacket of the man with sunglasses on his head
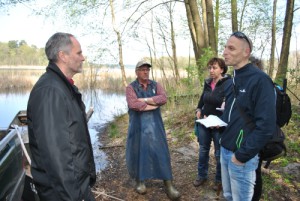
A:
x,y
255,96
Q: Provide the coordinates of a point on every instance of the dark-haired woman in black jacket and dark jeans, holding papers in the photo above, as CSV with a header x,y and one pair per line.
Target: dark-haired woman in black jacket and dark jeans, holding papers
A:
x,y
212,98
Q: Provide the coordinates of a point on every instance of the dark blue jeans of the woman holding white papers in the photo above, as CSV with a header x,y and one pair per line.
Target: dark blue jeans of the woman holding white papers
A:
x,y
206,135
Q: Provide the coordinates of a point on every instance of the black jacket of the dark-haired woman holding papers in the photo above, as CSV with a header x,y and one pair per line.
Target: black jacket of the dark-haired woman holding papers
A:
x,y
211,99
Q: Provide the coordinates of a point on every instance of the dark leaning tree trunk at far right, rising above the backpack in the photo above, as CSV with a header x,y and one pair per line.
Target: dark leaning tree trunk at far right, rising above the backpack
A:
x,y
286,38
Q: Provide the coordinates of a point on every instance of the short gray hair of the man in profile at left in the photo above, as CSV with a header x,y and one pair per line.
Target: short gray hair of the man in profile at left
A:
x,y
58,42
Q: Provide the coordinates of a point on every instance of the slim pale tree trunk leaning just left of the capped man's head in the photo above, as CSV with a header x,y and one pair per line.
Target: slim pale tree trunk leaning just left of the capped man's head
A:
x,y
121,63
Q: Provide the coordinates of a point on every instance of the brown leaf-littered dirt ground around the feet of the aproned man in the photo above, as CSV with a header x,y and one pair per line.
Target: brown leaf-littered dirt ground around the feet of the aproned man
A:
x,y
115,184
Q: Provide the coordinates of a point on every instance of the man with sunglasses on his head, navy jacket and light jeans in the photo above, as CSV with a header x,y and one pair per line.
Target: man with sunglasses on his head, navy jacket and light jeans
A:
x,y
251,117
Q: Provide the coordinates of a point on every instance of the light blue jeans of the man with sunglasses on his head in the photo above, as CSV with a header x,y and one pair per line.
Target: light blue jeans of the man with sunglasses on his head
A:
x,y
238,180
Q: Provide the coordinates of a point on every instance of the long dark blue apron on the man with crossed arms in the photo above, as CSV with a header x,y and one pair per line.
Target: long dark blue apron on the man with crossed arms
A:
x,y
147,153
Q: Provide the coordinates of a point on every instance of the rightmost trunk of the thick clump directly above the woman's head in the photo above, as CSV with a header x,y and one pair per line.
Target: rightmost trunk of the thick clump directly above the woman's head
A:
x,y
211,26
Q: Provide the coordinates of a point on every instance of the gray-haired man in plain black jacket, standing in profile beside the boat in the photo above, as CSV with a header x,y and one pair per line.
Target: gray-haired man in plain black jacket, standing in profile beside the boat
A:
x,y
63,165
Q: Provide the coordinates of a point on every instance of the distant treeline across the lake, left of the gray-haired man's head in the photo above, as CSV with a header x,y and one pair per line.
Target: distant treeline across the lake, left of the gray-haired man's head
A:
x,y
20,53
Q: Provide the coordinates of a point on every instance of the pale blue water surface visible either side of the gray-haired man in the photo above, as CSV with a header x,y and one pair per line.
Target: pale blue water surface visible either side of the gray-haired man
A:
x,y
106,107
